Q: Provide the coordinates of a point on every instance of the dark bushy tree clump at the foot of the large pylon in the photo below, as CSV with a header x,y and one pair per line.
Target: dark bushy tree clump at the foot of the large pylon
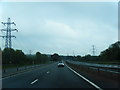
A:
x,y
10,56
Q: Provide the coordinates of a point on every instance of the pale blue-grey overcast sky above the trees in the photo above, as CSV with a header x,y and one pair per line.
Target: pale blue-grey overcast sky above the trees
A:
x,y
65,28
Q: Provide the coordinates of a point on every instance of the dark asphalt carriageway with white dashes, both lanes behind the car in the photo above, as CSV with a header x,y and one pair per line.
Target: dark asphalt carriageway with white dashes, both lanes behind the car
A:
x,y
49,76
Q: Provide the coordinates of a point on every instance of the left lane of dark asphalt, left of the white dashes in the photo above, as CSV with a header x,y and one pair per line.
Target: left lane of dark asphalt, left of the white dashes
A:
x,y
23,80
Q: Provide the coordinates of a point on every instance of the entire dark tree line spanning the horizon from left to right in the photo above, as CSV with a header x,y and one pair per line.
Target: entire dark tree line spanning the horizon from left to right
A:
x,y
11,56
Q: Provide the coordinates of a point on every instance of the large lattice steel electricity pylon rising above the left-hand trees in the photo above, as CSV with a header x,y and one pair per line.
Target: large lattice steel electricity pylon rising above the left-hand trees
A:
x,y
8,36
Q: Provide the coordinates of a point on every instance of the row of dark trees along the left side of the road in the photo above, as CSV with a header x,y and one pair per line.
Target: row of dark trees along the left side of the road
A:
x,y
17,57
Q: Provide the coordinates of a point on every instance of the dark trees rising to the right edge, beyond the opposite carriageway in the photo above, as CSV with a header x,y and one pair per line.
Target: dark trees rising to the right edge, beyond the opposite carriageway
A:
x,y
110,54
